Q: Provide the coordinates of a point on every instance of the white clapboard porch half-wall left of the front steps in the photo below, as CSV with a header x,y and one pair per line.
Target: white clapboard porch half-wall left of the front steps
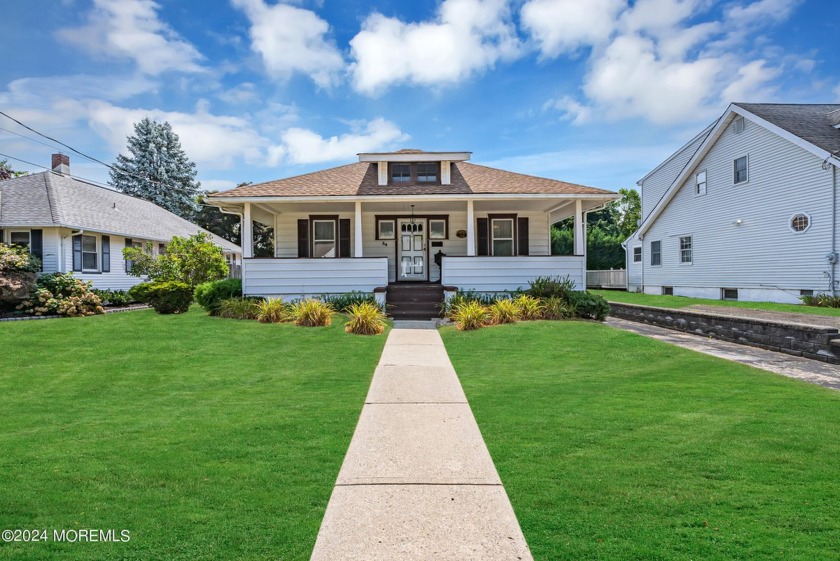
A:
x,y
284,277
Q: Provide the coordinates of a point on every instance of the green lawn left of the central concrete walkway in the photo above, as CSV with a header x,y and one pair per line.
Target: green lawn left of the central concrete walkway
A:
x,y
205,438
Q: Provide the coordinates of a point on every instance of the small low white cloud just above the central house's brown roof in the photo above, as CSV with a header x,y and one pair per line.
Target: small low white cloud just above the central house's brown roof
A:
x,y
306,147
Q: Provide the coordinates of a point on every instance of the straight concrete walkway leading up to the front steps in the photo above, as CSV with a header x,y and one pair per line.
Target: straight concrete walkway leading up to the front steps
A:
x,y
418,482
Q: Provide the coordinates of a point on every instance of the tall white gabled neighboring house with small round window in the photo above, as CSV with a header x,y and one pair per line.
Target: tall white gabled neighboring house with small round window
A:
x,y
746,210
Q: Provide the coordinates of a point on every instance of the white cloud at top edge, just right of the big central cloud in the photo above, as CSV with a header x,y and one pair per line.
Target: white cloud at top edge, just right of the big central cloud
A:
x,y
561,26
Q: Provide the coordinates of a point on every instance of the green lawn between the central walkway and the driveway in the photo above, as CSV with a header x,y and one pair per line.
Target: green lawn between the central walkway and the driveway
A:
x,y
616,447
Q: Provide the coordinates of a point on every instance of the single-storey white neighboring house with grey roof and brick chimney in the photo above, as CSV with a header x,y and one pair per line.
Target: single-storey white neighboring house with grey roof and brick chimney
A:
x,y
75,226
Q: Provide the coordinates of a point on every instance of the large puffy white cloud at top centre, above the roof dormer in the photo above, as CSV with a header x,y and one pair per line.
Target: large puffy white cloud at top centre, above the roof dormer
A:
x,y
466,37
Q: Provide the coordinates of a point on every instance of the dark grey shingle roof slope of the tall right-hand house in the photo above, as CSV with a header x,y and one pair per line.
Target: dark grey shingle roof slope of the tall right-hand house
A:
x,y
813,123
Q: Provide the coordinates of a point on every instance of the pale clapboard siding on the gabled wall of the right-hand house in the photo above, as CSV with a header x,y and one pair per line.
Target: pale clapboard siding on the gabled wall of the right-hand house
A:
x,y
761,255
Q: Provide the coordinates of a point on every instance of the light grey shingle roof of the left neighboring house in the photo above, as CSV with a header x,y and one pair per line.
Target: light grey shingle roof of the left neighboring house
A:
x,y
50,199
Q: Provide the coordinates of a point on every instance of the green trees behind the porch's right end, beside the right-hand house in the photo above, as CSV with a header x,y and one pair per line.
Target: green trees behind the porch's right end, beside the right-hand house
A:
x,y
606,229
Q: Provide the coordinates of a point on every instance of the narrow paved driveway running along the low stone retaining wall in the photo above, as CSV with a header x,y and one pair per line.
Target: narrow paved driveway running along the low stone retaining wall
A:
x,y
812,371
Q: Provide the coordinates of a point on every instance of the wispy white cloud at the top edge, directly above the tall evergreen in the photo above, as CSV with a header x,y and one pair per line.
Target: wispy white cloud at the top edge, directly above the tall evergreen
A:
x,y
131,29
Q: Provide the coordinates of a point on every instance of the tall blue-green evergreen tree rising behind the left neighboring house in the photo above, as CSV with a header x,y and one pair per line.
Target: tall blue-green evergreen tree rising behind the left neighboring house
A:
x,y
157,170
